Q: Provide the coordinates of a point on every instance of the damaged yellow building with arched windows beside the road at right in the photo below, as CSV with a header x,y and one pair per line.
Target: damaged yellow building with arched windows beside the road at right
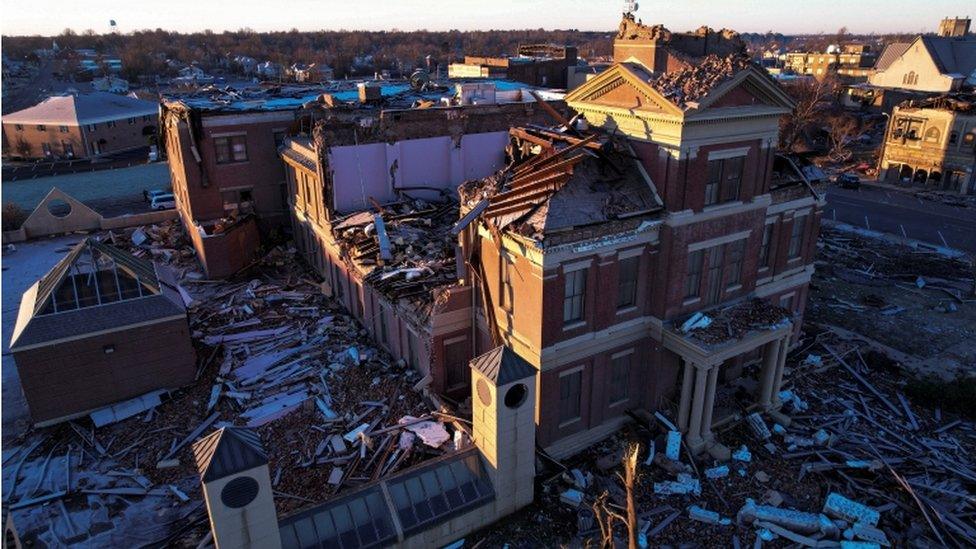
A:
x,y
932,143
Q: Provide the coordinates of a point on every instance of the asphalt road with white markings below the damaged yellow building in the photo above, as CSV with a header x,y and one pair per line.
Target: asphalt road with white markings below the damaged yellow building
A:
x,y
902,214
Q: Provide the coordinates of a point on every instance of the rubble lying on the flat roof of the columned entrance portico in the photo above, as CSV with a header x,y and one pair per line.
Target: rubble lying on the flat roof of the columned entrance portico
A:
x,y
733,322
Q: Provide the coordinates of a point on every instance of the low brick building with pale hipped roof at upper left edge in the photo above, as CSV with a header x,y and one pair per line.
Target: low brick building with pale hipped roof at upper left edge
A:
x,y
80,126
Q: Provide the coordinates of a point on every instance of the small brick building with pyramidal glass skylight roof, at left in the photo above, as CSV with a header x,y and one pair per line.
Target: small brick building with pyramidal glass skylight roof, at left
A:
x,y
102,326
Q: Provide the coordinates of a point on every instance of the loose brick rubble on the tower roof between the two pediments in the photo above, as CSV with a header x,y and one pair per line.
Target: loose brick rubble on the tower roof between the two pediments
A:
x,y
690,84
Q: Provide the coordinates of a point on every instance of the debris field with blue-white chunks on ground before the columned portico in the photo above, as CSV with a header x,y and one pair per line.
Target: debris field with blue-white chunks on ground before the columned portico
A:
x,y
861,461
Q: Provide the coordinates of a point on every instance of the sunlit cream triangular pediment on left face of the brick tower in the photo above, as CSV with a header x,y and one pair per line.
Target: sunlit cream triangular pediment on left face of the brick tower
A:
x,y
623,85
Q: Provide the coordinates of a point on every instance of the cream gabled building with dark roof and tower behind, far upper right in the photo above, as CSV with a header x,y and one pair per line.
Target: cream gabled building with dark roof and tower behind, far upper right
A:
x,y
932,64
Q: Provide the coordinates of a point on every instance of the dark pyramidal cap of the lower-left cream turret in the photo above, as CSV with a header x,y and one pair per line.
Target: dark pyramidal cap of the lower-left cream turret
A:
x,y
227,451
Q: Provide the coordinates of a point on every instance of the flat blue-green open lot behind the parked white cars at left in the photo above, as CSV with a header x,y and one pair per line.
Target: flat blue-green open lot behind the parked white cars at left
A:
x,y
109,192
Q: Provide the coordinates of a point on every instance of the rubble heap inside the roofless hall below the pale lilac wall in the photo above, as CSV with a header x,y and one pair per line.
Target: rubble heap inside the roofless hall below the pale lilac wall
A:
x,y
406,250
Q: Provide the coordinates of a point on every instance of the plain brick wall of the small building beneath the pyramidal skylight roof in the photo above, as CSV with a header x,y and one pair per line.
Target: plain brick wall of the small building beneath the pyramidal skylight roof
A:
x,y
75,376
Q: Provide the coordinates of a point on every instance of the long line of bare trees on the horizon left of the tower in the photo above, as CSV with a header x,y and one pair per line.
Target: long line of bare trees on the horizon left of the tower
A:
x,y
145,52
